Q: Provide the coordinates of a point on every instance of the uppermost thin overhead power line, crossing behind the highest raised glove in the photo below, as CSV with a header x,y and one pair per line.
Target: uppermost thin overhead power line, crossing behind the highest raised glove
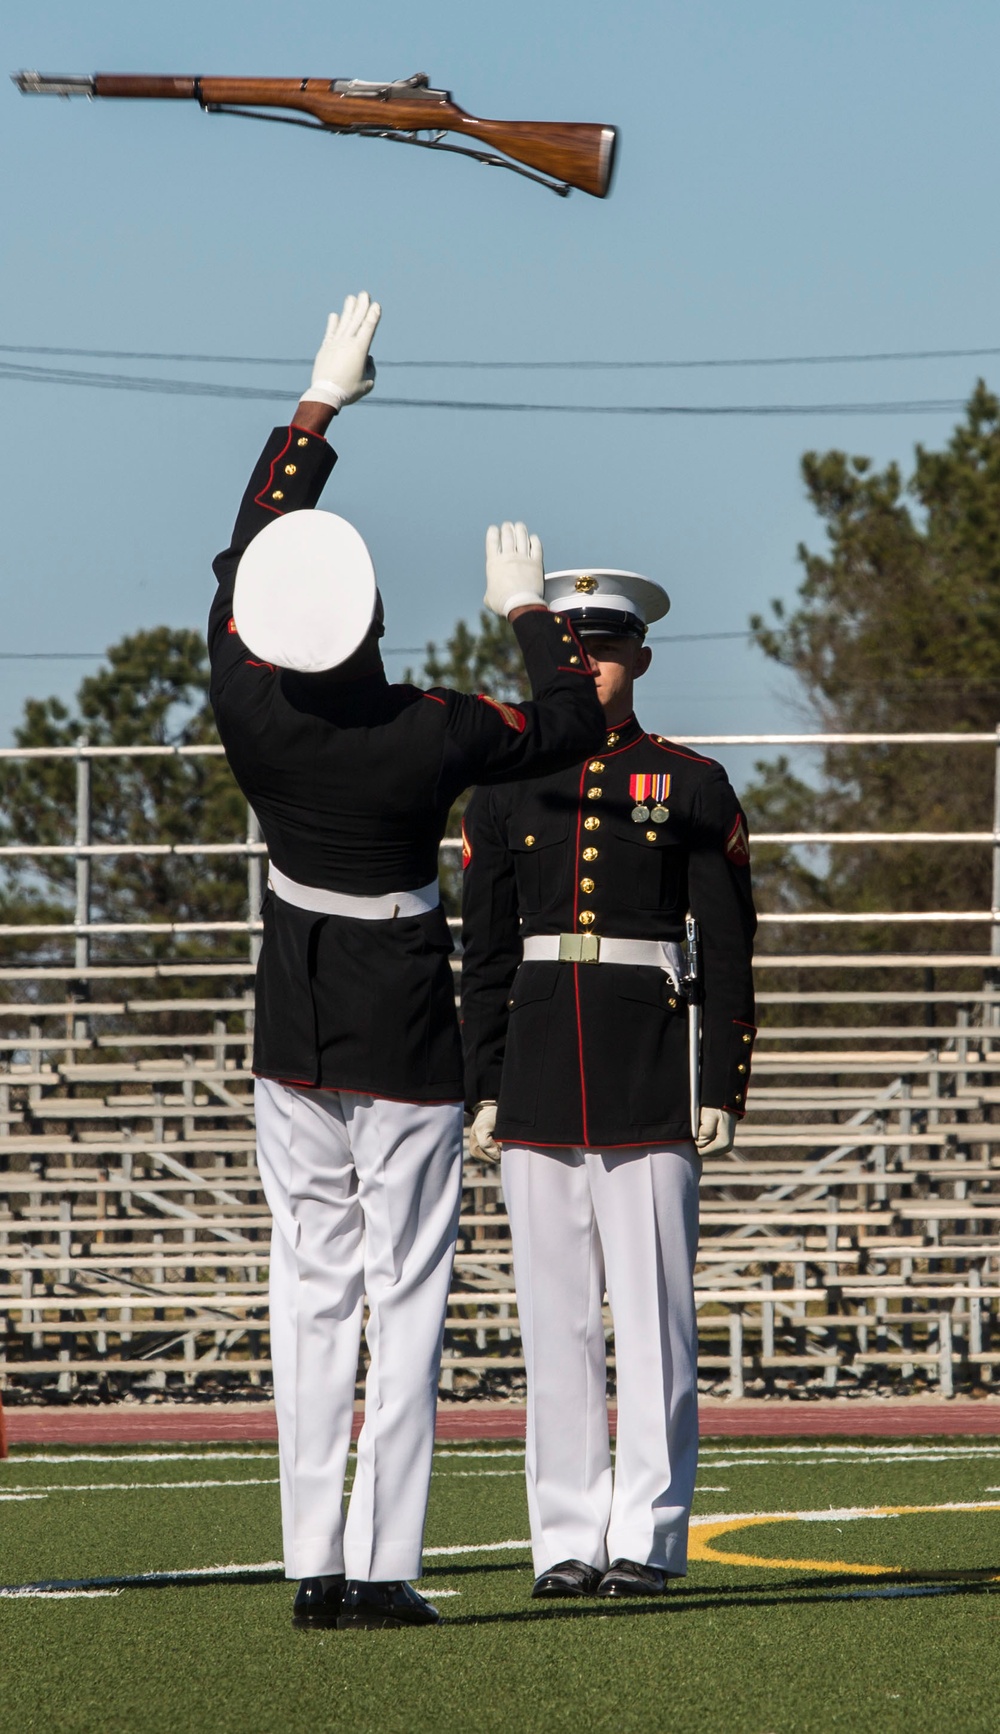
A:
x,y
564,367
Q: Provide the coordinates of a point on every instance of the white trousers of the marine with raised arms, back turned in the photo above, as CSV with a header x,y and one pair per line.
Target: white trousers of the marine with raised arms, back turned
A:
x,y
365,1197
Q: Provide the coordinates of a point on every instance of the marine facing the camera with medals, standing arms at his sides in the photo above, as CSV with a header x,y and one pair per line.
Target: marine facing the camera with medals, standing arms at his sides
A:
x,y
606,1074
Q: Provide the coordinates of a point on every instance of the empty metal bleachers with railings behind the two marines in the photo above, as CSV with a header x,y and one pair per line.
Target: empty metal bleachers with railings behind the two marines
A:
x,y
850,1241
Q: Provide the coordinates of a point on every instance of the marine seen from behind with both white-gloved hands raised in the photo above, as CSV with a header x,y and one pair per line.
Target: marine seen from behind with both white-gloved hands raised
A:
x,y
358,1057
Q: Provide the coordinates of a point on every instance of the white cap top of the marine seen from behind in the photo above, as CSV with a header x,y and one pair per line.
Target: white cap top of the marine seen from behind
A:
x,y
306,592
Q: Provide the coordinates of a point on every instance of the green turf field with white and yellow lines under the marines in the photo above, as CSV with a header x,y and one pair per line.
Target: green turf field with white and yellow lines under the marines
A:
x,y
833,1587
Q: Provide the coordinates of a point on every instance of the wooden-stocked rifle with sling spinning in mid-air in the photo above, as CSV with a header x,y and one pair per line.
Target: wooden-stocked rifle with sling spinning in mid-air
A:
x,y
561,155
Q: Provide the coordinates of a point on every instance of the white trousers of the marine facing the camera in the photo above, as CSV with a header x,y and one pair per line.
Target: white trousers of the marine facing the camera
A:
x,y
628,1220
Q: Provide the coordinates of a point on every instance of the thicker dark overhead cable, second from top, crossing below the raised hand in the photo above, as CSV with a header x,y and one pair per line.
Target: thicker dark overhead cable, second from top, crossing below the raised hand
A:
x,y
127,382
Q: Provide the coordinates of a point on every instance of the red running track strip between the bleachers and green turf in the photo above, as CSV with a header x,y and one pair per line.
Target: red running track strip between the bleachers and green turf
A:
x,y
233,1423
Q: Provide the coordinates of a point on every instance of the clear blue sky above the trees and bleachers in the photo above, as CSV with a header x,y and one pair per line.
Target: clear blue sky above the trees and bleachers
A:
x,y
793,179
